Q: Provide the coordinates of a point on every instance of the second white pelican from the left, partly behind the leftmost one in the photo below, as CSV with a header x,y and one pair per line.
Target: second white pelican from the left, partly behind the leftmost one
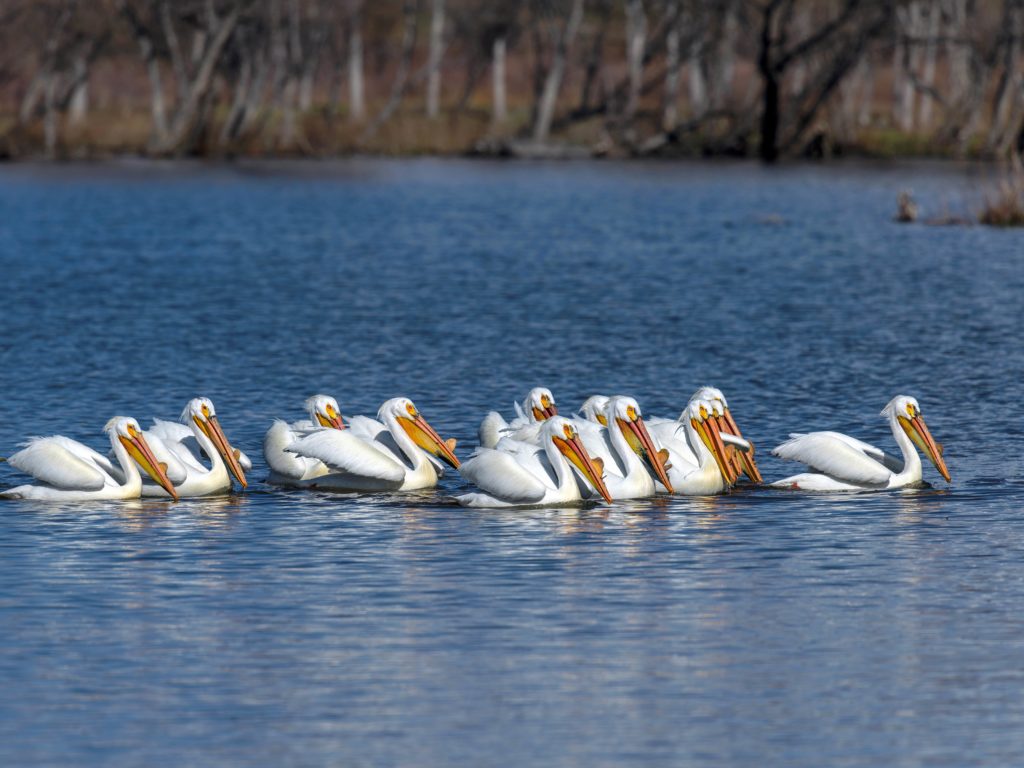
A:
x,y
186,444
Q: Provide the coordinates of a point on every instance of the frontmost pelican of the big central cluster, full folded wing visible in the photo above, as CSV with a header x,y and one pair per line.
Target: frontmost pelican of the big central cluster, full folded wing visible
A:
x,y
519,475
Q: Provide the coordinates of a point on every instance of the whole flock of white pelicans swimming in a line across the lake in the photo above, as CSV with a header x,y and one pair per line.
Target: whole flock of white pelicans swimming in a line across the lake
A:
x,y
539,458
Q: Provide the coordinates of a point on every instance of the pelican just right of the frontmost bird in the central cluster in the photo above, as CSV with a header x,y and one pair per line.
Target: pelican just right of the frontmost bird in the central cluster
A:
x,y
630,459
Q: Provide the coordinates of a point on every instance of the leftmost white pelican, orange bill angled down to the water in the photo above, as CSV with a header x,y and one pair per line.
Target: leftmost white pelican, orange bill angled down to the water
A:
x,y
70,472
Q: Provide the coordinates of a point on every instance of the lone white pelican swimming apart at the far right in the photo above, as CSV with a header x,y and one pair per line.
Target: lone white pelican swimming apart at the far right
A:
x,y
844,463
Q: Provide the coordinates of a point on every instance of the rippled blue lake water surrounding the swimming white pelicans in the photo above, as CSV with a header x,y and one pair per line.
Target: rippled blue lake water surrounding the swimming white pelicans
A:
x,y
284,628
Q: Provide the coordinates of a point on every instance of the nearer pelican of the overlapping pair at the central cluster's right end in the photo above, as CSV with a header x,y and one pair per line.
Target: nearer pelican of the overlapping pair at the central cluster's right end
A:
x,y
699,463
